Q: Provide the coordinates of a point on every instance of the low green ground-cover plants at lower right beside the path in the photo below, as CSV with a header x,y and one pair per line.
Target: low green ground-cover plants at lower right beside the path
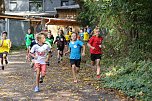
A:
x,y
134,79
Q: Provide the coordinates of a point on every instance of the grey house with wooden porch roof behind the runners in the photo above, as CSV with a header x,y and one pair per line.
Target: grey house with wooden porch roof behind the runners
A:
x,y
21,14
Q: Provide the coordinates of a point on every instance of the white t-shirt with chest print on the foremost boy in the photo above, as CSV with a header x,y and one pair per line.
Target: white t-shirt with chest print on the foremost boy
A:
x,y
40,52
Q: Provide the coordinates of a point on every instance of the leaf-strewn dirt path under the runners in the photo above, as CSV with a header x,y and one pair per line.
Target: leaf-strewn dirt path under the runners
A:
x,y
16,83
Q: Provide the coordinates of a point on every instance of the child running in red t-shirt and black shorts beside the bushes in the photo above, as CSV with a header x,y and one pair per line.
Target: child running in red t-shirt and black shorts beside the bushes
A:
x,y
95,49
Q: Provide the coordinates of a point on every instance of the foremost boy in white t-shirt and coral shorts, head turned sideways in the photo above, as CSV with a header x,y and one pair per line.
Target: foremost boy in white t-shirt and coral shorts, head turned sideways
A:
x,y
41,53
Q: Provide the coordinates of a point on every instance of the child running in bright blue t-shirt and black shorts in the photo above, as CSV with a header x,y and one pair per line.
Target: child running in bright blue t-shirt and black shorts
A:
x,y
75,54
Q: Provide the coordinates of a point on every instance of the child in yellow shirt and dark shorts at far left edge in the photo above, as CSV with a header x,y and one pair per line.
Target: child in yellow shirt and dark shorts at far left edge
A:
x,y
5,45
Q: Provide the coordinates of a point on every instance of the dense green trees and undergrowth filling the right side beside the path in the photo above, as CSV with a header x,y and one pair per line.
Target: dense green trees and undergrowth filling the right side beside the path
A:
x,y
128,43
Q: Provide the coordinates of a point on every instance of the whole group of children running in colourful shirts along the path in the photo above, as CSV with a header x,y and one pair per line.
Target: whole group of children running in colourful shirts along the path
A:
x,y
39,50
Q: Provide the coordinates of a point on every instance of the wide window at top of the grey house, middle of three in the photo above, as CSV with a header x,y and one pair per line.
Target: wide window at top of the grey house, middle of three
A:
x,y
36,5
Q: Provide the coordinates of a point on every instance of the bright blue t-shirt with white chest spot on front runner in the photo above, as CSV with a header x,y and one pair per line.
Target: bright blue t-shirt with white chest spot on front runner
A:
x,y
75,49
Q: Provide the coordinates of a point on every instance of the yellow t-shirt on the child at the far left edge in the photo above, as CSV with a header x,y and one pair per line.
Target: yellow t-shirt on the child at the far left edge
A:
x,y
5,46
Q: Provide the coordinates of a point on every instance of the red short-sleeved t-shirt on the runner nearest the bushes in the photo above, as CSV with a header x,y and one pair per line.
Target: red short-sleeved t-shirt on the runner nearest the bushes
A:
x,y
95,42
